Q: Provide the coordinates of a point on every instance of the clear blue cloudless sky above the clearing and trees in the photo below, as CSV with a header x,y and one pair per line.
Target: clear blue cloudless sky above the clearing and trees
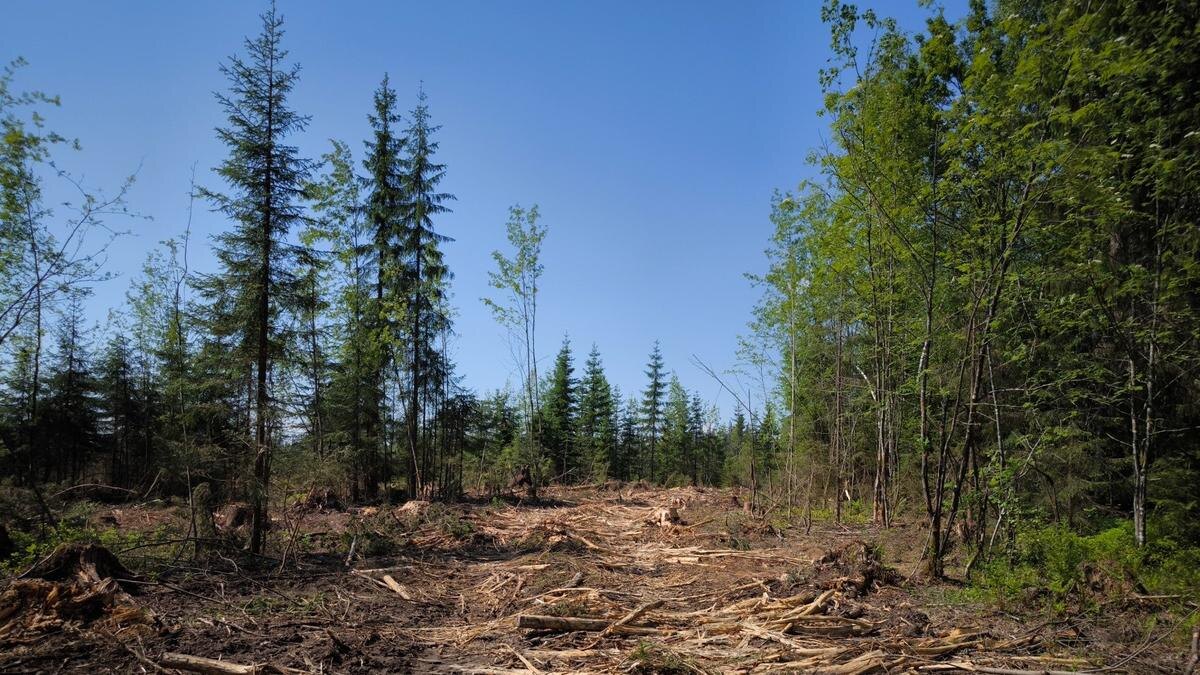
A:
x,y
651,135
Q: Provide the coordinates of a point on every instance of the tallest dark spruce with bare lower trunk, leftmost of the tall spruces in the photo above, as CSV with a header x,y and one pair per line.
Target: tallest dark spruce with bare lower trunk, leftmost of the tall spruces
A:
x,y
266,178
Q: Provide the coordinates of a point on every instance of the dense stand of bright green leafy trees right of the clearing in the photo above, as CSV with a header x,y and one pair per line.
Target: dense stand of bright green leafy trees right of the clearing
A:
x,y
987,306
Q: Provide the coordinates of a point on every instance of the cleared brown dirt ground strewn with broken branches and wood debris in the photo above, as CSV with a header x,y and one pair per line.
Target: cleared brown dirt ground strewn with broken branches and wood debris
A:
x,y
587,581
